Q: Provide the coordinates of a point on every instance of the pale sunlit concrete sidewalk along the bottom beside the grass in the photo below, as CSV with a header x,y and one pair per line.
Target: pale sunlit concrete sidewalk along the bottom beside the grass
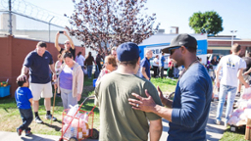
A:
x,y
214,132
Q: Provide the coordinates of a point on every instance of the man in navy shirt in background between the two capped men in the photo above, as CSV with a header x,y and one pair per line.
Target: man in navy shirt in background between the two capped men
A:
x,y
145,65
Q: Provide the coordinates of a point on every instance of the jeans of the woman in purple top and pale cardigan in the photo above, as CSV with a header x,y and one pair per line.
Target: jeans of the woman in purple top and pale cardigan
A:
x,y
67,98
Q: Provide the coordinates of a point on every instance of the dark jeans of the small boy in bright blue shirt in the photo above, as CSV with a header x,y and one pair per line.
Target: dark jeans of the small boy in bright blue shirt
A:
x,y
27,117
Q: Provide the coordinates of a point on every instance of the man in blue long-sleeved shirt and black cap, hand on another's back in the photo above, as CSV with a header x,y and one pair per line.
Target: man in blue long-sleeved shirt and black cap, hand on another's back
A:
x,y
188,112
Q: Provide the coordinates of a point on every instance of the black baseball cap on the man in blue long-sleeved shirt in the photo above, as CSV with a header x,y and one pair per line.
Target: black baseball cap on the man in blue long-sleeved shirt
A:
x,y
182,40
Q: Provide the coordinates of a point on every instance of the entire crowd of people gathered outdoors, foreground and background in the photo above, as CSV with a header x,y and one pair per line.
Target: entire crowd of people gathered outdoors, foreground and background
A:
x,y
131,107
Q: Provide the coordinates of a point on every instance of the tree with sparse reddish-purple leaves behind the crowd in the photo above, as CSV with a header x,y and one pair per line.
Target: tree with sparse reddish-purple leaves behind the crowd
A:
x,y
103,24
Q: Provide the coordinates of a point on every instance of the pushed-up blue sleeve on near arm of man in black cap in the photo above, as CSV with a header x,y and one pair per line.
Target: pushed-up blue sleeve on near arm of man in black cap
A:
x,y
193,100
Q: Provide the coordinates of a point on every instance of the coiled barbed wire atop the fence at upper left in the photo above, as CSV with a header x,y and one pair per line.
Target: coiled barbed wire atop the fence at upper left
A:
x,y
21,7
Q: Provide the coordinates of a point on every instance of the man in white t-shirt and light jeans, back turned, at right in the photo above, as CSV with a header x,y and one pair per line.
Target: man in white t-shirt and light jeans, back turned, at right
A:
x,y
232,66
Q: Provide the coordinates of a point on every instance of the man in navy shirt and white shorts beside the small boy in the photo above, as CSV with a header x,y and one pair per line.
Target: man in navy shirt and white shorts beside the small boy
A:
x,y
38,63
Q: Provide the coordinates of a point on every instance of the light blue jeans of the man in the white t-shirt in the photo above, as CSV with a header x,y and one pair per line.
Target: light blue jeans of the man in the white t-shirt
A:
x,y
224,90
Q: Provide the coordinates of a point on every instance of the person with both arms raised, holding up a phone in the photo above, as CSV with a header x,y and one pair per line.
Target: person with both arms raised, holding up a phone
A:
x,y
68,44
